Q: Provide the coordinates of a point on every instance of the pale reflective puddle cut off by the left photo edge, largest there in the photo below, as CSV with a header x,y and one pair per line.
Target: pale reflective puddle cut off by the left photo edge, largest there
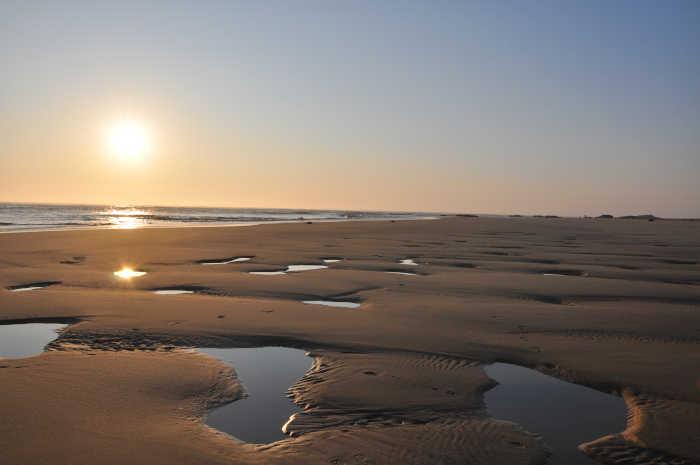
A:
x,y
27,339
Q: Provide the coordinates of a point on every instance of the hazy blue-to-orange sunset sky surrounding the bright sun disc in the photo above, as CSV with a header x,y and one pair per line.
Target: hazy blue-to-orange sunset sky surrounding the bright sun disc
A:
x,y
553,107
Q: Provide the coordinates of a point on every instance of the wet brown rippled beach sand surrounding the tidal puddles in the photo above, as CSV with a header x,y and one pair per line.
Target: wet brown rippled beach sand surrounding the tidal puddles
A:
x,y
610,304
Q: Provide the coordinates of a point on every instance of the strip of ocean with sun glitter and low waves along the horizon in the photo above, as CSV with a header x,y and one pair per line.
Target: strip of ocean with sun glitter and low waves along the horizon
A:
x,y
27,217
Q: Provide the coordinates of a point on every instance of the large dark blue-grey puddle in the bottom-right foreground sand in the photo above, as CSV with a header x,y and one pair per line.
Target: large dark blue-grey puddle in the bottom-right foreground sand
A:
x,y
564,414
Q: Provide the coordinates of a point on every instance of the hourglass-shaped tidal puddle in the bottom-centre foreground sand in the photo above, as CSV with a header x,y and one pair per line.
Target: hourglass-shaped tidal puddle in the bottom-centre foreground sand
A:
x,y
266,374
